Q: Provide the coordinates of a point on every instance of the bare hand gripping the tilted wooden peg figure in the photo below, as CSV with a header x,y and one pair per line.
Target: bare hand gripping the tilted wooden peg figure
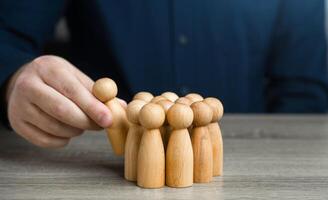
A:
x,y
50,101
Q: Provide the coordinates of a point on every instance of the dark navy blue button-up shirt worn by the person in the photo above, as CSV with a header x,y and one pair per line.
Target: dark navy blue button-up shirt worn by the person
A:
x,y
255,55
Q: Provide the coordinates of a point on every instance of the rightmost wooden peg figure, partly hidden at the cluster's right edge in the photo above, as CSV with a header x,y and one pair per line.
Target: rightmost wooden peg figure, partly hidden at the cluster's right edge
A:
x,y
216,136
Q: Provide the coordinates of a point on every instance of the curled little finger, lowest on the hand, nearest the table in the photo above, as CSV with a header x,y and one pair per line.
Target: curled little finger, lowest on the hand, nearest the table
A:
x,y
40,138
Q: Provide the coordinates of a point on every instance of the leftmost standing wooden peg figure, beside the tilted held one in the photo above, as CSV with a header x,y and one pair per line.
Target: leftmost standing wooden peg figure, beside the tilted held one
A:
x,y
133,139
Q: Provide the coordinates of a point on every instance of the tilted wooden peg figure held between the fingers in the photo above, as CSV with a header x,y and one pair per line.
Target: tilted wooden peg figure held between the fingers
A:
x,y
105,90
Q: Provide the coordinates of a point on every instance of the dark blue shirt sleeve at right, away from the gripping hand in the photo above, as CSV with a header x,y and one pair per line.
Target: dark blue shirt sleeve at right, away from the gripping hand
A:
x,y
297,73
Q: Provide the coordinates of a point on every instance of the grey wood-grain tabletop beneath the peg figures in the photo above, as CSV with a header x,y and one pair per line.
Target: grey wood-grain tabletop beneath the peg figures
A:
x,y
266,157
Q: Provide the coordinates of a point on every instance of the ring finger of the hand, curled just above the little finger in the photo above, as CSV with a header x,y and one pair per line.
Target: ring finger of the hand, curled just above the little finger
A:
x,y
46,123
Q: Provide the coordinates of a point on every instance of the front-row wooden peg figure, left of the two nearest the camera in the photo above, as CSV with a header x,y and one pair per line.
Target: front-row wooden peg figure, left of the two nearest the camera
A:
x,y
151,156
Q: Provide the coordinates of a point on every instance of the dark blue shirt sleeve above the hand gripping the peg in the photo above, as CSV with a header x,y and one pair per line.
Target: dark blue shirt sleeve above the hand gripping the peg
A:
x,y
25,25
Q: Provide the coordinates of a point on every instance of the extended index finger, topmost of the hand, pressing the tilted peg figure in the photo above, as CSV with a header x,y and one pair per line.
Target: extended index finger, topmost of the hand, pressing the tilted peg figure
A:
x,y
71,87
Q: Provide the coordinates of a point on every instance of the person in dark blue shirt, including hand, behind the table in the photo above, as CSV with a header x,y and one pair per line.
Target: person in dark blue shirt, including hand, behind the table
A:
x,y
256,56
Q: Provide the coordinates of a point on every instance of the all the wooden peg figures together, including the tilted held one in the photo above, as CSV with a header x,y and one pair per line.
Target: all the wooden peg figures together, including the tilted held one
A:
x,y
165,139
